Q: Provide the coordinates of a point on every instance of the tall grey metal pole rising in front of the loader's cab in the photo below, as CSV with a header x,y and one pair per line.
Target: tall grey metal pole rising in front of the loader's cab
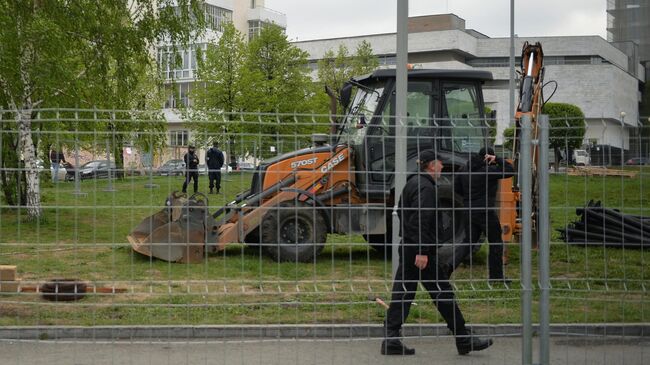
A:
x,y
400,120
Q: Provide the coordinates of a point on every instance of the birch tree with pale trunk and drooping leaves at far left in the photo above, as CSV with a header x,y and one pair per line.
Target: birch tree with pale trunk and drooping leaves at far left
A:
x,y
79,53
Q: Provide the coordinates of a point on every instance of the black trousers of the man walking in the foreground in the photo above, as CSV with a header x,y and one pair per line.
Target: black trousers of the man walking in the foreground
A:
x,y
436,281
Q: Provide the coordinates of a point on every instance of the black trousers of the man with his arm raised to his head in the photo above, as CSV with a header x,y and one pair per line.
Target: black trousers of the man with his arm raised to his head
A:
x,y
477,223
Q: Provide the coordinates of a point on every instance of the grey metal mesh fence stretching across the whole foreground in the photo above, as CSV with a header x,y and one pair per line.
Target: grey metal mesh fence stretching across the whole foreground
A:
x,y
294,245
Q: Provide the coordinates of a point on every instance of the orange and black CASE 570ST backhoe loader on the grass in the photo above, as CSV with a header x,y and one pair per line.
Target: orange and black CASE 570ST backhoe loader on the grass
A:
x,y
345,186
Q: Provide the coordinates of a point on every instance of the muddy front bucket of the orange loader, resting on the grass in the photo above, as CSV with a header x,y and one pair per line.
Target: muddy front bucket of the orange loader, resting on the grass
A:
x,y
177,233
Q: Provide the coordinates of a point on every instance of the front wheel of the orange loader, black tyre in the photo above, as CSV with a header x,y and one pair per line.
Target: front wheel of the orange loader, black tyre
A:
x,y
294,232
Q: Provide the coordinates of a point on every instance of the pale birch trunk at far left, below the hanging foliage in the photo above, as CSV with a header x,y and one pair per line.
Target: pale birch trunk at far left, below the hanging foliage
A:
x,y
26,146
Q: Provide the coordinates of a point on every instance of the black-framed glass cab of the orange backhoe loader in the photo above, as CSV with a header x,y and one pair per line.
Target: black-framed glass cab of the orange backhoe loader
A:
x,y
445,111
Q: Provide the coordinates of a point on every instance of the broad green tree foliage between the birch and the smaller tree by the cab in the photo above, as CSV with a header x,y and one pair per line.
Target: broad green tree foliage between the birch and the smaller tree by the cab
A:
x,y
268,76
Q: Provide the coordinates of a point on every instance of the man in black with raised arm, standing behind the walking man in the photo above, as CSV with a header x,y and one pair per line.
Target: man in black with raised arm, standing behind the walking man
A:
x,y
478,182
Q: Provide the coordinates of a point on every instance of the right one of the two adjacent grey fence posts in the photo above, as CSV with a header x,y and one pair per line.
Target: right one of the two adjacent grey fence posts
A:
x,y
544,247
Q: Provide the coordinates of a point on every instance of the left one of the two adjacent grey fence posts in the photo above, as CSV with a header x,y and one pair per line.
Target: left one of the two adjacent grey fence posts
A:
x,y
525,179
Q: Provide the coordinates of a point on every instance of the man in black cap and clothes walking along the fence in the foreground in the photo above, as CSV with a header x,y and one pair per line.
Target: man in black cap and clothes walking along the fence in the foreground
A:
x,y
418,262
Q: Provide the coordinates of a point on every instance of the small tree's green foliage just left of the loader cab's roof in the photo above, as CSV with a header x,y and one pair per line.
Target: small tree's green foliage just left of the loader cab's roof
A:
x,y
335,69
